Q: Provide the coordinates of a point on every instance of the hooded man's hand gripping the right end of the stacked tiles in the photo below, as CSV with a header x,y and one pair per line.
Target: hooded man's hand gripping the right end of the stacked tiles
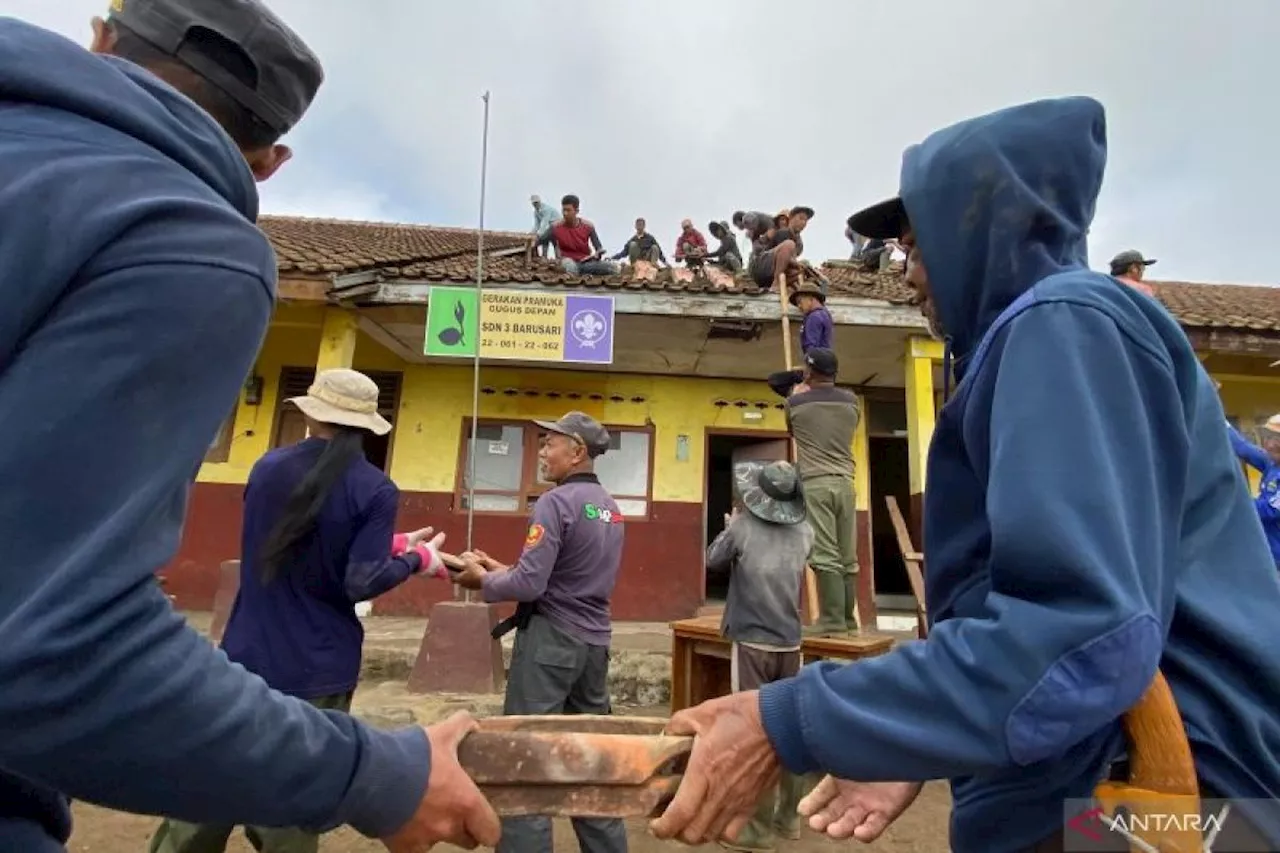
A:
x,y
732,765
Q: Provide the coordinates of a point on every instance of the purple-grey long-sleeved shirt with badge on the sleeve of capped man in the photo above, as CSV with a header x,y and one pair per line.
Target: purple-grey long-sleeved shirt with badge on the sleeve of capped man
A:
x,y
572,560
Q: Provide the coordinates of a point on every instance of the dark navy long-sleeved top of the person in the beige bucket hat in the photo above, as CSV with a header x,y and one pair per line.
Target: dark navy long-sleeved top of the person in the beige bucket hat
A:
x,y
301,632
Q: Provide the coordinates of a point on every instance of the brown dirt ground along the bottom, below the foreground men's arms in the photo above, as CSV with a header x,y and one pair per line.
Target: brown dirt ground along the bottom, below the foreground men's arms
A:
x,y
922,831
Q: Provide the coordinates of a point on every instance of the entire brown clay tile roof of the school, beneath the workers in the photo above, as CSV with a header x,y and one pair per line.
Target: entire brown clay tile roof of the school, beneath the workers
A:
x,y
432,254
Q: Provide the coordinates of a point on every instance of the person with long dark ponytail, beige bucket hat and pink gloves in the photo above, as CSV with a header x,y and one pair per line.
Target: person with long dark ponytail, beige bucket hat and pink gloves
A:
x,y
318,539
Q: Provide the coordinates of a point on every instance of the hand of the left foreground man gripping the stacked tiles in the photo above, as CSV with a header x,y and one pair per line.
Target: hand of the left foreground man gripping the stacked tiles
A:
x,y
452,810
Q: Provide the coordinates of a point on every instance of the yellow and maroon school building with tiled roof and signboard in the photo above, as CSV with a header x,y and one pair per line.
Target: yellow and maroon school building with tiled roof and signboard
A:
x,y
684,395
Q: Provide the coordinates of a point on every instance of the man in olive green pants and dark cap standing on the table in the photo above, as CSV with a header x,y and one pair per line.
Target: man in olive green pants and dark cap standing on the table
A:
x,y
824,419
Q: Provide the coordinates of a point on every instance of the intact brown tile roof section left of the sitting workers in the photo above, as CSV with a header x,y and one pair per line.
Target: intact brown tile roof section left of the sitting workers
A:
x,y
344,247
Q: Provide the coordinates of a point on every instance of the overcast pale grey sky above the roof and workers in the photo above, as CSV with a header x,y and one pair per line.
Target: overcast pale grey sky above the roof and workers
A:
x,y
670,110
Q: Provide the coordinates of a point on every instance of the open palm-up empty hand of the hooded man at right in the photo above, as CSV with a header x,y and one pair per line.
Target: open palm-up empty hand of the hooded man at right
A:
x,y
845,809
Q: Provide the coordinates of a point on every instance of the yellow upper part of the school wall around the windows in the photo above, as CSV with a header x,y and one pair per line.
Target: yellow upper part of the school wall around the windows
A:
x,y
436,400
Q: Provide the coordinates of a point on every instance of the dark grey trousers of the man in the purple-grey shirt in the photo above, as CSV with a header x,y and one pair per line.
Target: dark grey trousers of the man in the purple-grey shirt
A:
x,y
554,673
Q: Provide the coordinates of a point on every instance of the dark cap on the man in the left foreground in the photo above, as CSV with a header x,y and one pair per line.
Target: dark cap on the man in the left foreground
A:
x,y
287,74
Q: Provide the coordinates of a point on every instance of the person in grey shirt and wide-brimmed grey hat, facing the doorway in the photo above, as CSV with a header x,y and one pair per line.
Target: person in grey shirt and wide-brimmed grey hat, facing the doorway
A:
x,y
765,551
